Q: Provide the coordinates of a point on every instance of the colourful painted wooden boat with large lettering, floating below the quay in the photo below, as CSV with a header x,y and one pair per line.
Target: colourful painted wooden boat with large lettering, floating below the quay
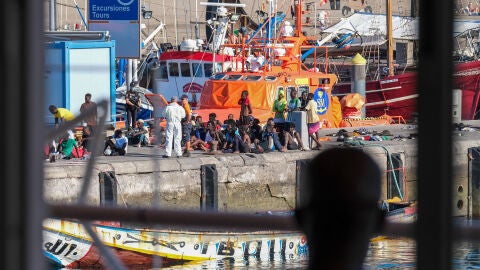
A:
x,y
67,244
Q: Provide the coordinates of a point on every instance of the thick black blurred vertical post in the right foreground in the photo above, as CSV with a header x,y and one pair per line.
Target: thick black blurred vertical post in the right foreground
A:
x,y
435,84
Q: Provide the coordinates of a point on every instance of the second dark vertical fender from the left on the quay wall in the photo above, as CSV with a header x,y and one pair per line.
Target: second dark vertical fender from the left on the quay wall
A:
x,y
209,189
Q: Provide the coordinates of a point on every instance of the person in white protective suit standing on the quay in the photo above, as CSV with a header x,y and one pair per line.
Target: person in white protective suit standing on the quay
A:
x,y
173,113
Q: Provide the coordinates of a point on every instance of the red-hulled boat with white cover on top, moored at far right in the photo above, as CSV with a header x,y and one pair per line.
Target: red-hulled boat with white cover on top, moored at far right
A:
x,y
395,92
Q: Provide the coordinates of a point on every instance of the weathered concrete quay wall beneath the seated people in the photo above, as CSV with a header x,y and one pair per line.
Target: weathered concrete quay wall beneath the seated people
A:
x,y
257,182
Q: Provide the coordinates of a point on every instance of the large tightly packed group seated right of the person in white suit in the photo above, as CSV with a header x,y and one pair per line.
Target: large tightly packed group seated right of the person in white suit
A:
x,y
232,137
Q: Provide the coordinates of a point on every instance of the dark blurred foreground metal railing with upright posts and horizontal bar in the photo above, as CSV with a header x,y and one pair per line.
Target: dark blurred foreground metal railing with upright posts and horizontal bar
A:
x,y
23,107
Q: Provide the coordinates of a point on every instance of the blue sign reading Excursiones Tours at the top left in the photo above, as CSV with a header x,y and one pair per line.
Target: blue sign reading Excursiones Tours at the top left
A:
x,y
121,18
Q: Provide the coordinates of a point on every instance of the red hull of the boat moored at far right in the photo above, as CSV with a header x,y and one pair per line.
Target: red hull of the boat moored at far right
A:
x,y
397,95
